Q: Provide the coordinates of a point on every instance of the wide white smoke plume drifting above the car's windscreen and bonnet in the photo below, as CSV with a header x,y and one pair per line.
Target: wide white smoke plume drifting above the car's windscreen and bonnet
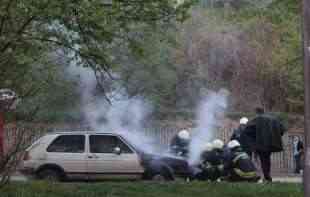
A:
x,y
123,115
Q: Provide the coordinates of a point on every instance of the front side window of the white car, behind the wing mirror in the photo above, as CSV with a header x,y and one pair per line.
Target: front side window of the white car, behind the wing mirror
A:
x,y
106,144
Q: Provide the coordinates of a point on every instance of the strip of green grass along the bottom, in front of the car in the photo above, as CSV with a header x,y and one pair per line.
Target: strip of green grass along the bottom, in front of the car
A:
x,y
148,189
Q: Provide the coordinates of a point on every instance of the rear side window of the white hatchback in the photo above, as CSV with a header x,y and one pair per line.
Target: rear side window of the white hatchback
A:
x,y
68,144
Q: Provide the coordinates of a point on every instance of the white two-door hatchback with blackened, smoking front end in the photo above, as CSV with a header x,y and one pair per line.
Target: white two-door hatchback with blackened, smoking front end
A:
x,y
91,155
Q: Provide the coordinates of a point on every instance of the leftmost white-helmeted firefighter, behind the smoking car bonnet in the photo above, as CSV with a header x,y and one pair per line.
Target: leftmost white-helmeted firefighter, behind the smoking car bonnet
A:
x,y
180,143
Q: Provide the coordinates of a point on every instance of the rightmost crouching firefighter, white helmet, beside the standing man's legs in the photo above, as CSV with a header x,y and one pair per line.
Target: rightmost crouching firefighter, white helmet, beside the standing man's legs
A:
x,y
239,166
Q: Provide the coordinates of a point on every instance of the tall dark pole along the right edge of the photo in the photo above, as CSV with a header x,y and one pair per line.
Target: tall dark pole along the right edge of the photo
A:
x,y
306,50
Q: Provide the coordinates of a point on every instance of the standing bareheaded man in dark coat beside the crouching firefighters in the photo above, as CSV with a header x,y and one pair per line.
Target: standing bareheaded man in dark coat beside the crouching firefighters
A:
x,y
267,132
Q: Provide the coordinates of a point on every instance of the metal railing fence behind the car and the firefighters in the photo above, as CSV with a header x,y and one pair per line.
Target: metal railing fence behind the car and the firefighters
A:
x,y
282,162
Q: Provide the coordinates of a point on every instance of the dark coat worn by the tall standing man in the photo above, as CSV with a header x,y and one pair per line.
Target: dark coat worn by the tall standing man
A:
x,y
267,132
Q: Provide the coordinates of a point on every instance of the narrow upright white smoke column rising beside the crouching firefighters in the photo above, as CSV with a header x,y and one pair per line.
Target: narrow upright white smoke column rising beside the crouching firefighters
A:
x,y
210,113
